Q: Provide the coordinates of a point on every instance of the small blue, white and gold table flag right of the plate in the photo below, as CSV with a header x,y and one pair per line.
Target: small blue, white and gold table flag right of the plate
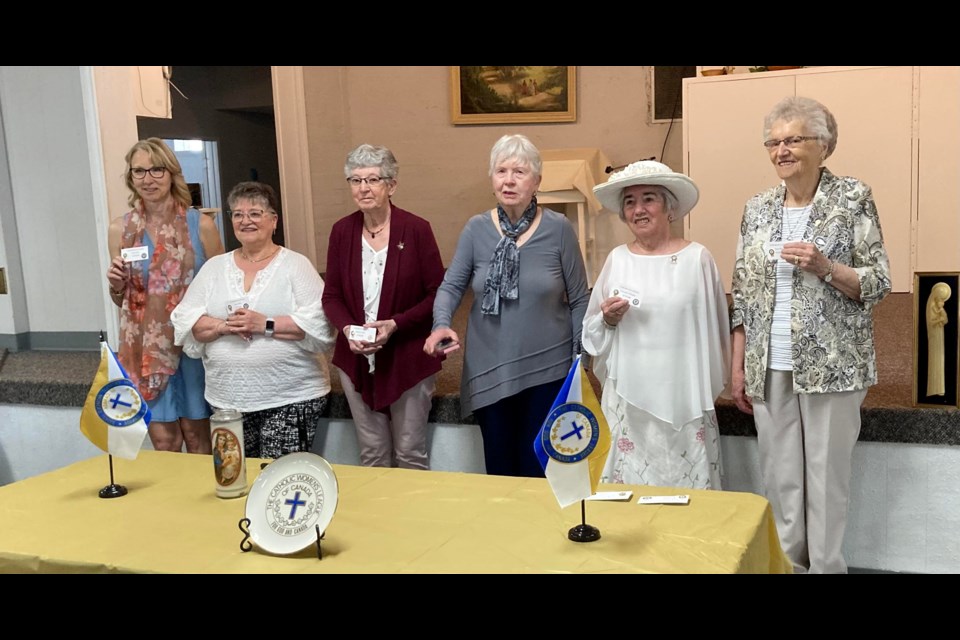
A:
x,y
573,443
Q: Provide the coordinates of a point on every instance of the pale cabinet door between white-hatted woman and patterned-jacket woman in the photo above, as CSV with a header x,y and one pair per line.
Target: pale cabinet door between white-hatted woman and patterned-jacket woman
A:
x,y
723,128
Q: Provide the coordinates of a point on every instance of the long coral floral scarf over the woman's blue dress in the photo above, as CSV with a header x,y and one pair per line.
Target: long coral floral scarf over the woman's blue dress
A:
x,y
147,351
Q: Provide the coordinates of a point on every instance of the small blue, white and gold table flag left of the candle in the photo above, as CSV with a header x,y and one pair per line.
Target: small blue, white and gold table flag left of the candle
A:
x,y
115,416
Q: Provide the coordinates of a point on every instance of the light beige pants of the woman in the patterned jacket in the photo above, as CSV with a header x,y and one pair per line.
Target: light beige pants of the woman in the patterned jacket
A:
x,y
806,447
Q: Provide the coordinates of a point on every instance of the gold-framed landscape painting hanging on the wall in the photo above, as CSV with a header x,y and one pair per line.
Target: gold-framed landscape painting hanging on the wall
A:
x,y
509,95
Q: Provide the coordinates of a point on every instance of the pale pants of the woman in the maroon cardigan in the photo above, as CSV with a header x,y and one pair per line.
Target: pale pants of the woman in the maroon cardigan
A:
x,y
401,435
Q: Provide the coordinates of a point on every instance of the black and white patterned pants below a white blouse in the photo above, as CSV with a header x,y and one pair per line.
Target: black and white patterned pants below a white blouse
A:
x,y
271,433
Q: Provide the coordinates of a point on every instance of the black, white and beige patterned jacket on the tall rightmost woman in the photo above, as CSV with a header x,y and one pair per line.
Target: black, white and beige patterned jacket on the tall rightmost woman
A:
x,y
833,347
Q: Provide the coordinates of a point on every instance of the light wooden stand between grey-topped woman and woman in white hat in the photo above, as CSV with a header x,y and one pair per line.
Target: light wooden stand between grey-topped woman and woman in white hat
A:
x,y
569,176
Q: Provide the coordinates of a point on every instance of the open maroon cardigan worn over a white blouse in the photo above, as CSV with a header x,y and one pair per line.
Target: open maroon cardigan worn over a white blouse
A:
x,y
411,277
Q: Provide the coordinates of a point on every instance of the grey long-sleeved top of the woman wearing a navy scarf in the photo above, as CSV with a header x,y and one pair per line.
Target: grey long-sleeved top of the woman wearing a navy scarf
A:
x,y
535,337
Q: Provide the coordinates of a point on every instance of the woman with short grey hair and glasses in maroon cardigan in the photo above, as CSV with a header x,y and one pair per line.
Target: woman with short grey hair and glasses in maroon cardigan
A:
x,y
383,271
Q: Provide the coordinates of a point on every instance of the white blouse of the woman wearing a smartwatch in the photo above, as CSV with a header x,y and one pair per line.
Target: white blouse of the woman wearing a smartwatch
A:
x,y
262,373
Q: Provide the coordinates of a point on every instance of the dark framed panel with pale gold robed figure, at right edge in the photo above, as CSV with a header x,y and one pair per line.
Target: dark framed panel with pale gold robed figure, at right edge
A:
x,y
936,354
